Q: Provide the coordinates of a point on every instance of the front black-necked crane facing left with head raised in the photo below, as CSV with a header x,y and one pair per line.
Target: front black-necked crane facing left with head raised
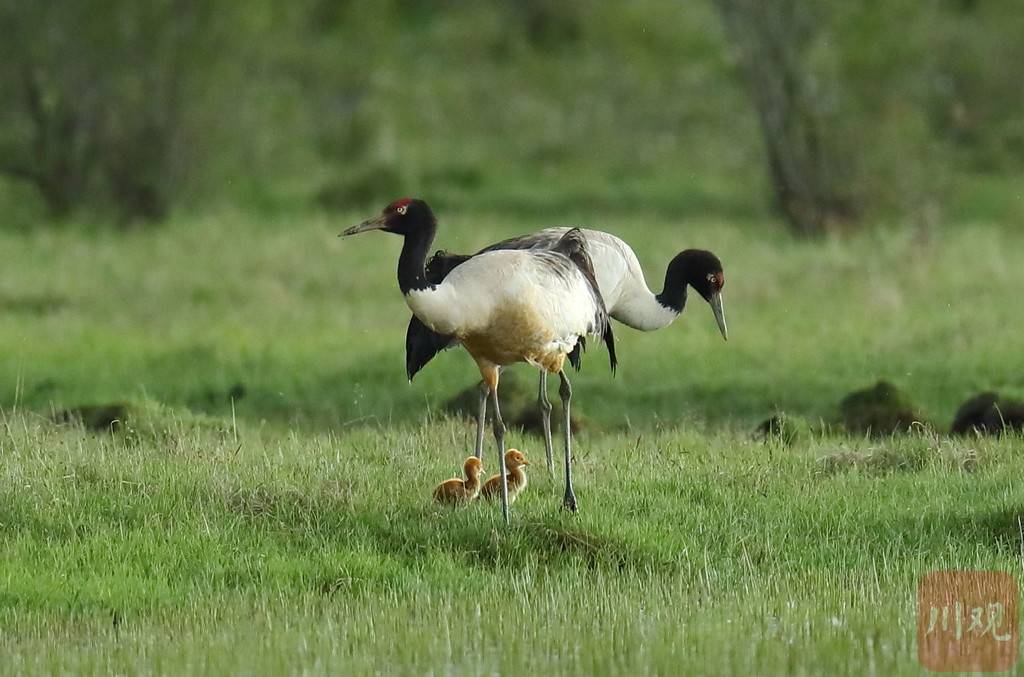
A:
x,y
504,307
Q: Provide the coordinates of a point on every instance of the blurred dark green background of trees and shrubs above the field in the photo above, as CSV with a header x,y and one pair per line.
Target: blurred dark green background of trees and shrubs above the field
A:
x,y
830,115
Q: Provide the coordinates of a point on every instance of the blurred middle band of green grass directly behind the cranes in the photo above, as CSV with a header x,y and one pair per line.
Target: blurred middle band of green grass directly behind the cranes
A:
x,y
313,327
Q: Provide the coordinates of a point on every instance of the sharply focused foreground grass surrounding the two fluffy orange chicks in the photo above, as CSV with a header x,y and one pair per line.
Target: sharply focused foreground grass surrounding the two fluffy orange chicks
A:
x,y
188,551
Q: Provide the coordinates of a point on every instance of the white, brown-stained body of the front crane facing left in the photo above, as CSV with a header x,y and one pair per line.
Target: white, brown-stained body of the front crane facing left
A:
x,y
513,306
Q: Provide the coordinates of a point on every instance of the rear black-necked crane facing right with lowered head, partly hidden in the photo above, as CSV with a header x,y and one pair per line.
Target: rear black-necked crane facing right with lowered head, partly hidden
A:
x,y
623,288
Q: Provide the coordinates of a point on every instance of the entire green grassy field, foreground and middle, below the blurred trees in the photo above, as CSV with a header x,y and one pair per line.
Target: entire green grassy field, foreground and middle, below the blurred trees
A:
x,y
268,507
